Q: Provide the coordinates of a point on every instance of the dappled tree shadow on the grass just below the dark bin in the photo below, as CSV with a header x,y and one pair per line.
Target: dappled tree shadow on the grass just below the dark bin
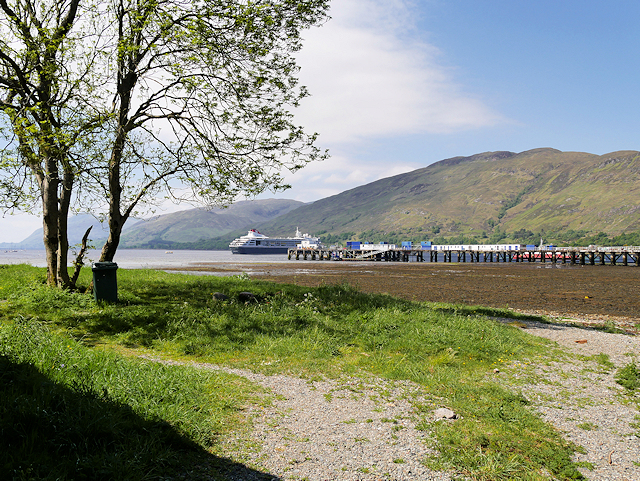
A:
x,y
159,308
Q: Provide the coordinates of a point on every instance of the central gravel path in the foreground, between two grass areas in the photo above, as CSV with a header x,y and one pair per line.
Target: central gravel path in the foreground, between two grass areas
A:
x,y
349,429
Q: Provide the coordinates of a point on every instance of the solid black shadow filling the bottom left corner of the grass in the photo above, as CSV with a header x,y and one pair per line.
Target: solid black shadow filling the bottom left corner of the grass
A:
x,y
49,431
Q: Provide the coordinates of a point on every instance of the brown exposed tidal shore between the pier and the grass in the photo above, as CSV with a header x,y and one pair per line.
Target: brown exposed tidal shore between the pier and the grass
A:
x,y
598,293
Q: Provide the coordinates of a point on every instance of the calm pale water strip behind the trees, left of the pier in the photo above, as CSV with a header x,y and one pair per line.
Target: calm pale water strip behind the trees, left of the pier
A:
x,y
146,258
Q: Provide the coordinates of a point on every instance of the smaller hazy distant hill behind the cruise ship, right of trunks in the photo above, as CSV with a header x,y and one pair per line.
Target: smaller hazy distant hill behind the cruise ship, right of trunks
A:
x,y
193,225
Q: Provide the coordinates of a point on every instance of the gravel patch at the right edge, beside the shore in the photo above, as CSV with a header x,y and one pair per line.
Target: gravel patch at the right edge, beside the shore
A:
x,y
580,397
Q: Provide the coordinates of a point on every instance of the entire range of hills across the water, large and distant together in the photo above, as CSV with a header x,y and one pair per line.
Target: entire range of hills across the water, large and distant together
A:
x,y
489,197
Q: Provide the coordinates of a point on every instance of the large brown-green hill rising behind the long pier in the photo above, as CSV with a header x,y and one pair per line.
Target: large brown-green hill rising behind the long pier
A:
x,y
541,190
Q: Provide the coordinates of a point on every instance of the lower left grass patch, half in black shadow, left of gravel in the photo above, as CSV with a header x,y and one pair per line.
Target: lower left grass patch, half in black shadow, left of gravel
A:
x,y
71,412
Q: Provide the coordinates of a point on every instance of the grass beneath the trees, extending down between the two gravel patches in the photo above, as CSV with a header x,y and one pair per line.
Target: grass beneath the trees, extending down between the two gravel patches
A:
x,y
450,351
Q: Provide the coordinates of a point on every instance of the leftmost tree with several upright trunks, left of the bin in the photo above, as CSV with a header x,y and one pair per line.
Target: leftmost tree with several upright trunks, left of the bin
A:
x,y
48,116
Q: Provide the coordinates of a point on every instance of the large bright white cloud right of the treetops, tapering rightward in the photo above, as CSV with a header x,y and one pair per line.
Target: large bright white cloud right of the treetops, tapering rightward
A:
x,y
371,74
